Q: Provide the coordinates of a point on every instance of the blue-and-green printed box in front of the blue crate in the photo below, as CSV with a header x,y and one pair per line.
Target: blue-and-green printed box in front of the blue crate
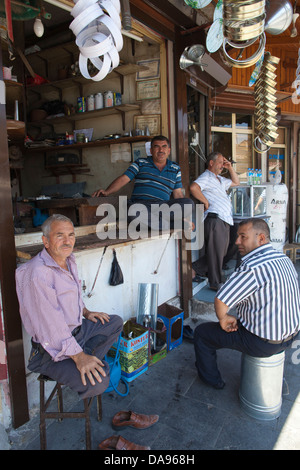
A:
x,y
133,351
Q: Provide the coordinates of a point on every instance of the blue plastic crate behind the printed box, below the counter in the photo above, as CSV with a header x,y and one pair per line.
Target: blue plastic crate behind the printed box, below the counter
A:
x,y
173,321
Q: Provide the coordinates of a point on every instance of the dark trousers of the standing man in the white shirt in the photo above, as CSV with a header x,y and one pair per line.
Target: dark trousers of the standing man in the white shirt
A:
x,y
216,239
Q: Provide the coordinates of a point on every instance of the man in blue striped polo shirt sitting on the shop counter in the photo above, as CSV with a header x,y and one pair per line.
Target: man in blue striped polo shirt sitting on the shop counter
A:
x,y
157,181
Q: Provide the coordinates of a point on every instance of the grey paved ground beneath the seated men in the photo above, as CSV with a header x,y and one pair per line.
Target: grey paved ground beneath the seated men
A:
x,y
193,416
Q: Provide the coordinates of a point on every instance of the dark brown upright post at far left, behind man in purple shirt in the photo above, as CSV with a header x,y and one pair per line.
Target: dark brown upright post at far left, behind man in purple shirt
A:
x,y
11,316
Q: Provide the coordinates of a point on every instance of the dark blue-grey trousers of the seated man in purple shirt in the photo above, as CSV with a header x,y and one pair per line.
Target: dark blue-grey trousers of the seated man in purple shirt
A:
x,y
94,338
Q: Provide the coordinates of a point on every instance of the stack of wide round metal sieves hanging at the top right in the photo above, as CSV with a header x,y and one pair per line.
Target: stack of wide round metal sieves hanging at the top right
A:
x,y
243,24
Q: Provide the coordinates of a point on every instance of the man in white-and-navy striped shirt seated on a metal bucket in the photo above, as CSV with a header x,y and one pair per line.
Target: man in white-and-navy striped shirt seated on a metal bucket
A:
x,y
264,290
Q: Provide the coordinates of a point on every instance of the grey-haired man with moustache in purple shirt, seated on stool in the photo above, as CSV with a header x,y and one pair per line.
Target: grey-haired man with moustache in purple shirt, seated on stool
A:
x,y
69,342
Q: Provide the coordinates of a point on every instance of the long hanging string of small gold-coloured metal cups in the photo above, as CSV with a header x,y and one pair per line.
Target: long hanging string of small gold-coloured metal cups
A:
x,y
265,104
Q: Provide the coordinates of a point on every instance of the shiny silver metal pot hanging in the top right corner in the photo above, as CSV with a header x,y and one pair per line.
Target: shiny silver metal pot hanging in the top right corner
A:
x,y
279,15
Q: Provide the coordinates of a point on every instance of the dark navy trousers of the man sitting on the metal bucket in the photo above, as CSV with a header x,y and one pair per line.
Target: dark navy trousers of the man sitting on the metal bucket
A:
x,y
209,337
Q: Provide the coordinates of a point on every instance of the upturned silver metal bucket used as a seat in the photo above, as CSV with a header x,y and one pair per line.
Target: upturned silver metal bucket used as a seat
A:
x,y
261,386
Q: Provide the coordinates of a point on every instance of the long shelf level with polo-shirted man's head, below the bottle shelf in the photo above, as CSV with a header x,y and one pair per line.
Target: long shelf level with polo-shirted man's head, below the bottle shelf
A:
x,y
96,143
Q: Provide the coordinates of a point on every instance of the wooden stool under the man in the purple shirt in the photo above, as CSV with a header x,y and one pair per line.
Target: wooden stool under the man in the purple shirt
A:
x,y
60,414
